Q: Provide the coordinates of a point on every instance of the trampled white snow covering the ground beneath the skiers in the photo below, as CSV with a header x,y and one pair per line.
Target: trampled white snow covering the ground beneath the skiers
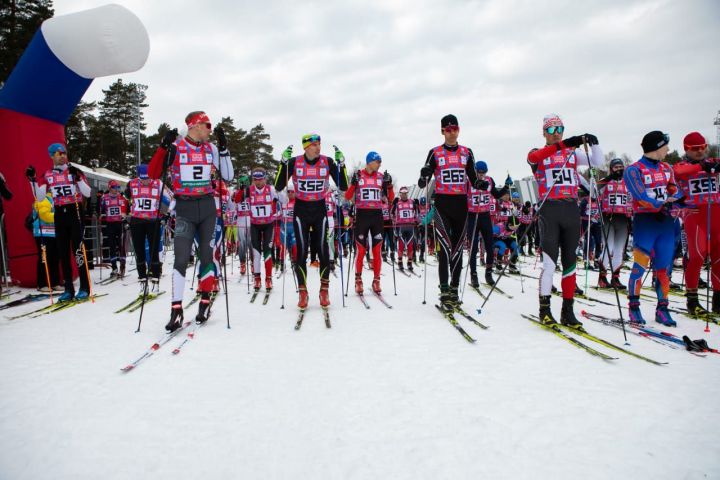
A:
x,y
383,394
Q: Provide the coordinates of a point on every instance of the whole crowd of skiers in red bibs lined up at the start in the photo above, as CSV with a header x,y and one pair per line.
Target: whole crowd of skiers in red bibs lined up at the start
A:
x,y
312,208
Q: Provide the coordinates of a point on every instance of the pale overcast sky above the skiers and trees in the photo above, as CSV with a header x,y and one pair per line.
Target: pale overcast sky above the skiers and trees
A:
x,y
379,75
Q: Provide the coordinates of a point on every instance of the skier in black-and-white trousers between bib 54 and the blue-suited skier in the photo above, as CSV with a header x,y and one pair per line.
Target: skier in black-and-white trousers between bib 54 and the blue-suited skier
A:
x,y
614,201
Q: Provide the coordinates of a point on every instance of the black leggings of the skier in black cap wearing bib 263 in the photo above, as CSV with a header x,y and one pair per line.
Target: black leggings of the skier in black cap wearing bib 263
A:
x,y
450,227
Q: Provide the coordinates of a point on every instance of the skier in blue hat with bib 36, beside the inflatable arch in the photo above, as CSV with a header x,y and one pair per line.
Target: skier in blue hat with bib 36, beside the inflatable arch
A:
x,y
67,185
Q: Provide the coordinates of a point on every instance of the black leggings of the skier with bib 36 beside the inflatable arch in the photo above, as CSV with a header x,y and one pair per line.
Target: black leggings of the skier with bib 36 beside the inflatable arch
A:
x,y
68,235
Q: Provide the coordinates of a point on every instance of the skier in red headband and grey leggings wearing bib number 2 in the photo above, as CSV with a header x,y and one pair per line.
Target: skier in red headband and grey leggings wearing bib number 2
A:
x,y
190,161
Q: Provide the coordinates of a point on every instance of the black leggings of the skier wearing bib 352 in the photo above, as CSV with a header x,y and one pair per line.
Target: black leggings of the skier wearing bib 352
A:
x,y
311,215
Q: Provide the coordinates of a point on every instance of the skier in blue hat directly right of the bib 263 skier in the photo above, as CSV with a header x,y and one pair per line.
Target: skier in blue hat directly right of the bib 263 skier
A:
x,y
480,201
